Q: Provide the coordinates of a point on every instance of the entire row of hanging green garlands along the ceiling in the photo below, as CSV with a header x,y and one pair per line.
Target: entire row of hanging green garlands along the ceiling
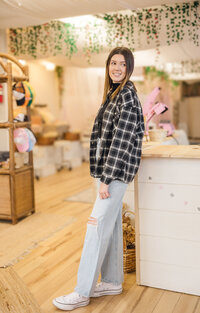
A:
x,y
140,29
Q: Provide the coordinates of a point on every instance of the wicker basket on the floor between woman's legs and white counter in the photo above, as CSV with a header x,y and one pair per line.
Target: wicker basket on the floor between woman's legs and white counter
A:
x,y
129,254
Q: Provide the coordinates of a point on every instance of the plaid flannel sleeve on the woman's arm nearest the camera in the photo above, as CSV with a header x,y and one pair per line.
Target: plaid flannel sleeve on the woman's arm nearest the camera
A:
x,y
123,139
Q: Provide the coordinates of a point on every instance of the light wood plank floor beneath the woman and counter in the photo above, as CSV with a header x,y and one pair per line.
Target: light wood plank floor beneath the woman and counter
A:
x,y
50,269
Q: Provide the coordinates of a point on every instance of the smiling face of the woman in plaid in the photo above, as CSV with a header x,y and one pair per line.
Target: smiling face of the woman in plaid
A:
x,y
117,68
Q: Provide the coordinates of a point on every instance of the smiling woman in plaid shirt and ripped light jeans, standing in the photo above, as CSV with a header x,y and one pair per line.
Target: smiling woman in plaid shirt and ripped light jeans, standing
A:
x,y
115,153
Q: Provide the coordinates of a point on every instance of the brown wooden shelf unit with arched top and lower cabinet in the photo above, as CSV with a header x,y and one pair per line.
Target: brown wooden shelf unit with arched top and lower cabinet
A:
x,y
16,185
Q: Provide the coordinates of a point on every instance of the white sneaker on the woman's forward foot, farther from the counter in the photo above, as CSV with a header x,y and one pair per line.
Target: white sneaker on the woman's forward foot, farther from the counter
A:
x,y
71,301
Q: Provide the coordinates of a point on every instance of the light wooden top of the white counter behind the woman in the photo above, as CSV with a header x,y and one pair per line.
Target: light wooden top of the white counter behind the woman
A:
x,y
153,150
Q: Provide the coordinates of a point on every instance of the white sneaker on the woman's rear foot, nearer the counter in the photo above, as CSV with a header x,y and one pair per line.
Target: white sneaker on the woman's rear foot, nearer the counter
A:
x,y
105,289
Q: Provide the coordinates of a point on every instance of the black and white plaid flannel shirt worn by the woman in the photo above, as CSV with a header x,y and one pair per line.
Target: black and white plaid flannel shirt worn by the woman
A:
x,y
121,139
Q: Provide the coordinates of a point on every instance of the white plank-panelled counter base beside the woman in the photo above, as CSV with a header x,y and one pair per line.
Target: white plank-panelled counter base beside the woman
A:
x,y
168,223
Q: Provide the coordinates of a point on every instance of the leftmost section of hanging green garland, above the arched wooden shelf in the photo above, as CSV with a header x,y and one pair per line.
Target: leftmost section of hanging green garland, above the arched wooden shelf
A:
x,y
44,40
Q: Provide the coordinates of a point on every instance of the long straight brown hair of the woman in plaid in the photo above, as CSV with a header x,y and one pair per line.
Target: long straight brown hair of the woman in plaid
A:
x,y
129,59
